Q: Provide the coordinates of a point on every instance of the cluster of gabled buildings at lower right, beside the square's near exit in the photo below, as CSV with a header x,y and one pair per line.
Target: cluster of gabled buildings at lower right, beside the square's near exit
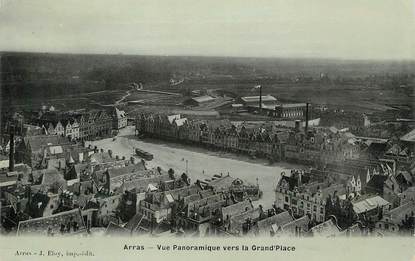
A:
x,y
363,198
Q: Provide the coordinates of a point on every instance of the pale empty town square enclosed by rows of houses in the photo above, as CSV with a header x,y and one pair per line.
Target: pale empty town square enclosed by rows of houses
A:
x,y
202,164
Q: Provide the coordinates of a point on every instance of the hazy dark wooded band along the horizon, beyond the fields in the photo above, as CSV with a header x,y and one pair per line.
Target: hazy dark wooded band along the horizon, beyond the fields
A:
x,y
31,75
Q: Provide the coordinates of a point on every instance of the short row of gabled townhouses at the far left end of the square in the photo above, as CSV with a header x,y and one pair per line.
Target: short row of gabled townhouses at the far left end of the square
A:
x,y
82,126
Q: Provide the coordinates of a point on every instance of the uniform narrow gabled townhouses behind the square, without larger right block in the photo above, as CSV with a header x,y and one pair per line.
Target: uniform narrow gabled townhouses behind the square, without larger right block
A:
x,y
213,134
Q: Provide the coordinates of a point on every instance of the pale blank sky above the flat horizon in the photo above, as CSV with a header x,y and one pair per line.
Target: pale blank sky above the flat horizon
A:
x,y
349,29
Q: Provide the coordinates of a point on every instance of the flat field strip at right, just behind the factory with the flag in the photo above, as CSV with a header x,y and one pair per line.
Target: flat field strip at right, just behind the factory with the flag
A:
x,y
352,97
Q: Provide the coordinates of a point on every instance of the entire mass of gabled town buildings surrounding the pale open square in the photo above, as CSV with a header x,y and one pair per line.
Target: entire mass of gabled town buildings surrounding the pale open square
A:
x,y
52,185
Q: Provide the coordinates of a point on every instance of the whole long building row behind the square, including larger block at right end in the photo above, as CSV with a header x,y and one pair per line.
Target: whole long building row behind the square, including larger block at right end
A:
x,y
263,139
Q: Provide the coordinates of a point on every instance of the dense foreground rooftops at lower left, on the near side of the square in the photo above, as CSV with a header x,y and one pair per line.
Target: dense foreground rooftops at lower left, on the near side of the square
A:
x,y
53,186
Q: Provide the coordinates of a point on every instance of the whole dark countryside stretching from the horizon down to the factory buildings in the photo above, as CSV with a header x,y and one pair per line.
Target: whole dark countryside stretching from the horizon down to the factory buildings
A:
x,y
74,81
